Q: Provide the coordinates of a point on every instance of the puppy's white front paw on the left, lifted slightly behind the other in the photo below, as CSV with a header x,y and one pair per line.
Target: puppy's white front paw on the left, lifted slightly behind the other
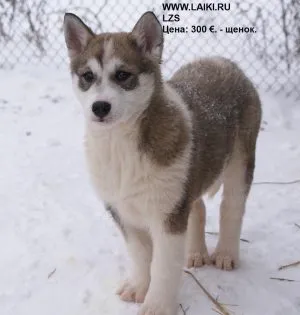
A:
x,y
130,291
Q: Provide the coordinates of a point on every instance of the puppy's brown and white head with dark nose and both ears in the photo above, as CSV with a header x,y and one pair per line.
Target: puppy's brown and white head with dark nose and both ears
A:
x,y
114,74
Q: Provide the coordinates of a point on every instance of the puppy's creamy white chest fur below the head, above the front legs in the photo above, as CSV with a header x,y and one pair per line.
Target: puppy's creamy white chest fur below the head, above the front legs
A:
x,y
130,181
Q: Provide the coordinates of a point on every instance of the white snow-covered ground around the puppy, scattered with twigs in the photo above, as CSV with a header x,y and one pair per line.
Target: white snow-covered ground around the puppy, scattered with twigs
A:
x,y
61,253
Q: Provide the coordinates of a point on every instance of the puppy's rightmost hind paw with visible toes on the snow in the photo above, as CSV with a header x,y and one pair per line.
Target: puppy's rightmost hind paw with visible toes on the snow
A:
x,y
225,259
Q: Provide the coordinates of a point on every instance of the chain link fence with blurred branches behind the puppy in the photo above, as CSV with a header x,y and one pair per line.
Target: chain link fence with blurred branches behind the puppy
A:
x,y
262,36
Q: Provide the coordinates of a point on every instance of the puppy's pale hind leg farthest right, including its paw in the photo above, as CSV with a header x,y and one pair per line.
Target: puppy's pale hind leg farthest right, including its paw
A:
x,y
237,181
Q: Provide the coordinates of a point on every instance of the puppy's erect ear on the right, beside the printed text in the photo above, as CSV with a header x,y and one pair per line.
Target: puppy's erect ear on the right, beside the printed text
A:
x,y
149,35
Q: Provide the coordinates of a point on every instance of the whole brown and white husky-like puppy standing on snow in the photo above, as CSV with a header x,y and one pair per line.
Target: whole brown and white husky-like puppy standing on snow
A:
x,y
155,148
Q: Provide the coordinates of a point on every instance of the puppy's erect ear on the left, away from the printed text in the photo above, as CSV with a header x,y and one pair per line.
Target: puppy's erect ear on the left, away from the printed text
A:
x,y
77,34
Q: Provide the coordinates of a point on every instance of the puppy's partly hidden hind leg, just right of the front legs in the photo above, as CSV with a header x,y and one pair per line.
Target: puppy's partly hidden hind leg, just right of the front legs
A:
x,y
197,254
